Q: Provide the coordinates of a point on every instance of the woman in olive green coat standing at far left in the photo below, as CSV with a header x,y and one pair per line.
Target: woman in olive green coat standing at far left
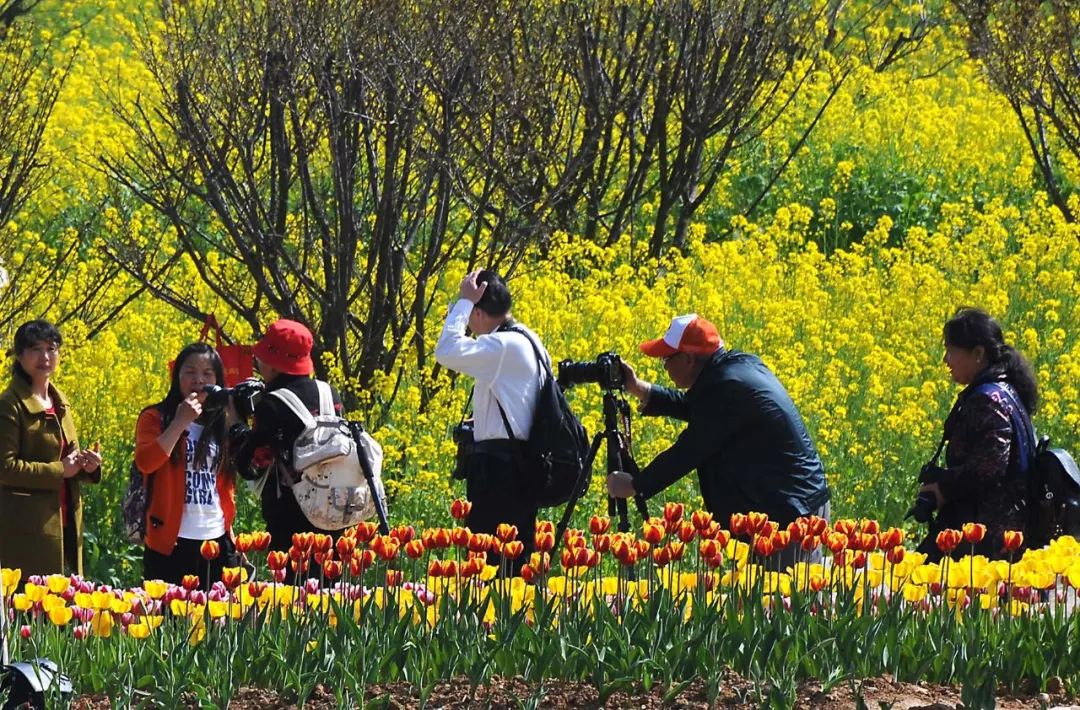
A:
x,y
42,465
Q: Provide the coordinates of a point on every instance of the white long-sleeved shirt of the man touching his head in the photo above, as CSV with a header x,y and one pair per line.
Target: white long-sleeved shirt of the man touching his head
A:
x,y
505,367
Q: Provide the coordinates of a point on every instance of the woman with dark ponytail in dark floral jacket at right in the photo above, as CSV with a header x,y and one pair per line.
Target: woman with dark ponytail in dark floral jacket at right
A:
x,y
990,436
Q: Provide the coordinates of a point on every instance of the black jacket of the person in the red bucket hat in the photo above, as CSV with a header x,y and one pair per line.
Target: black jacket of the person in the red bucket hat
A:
x,y
273,435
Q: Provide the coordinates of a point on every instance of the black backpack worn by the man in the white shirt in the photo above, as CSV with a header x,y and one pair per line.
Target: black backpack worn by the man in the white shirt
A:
x,y
557,451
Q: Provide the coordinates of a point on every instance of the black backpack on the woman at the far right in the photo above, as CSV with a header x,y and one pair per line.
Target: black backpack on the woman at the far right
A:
x,y
1054,495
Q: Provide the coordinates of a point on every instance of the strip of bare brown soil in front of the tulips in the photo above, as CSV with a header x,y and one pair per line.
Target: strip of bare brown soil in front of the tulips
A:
x,y
735,693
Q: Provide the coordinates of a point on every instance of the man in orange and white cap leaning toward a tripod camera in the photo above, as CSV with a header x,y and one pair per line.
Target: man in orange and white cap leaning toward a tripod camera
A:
x,y
744,436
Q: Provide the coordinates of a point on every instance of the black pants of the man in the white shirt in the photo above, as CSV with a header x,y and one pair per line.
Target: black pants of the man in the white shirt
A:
x,y
499,494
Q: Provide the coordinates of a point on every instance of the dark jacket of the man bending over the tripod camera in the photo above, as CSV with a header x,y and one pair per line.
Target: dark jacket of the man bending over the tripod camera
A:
x,y
746,438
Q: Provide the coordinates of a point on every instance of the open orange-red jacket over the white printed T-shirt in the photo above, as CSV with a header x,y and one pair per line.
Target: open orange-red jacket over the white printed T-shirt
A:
x,y
170,484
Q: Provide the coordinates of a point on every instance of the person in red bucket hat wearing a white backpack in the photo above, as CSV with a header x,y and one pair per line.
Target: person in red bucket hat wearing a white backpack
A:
x,y
264,451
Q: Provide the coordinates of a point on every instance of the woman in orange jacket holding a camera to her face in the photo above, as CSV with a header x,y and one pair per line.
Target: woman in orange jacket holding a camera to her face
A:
x,y
180,448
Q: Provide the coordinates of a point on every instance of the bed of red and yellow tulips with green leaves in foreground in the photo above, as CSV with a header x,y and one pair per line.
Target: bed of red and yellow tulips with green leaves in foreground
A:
x,y
682,598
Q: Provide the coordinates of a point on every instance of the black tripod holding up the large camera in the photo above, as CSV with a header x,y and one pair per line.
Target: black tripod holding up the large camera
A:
x,y
619,459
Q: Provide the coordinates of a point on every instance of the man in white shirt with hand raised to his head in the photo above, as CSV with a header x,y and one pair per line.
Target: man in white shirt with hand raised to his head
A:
x,y
508,378
